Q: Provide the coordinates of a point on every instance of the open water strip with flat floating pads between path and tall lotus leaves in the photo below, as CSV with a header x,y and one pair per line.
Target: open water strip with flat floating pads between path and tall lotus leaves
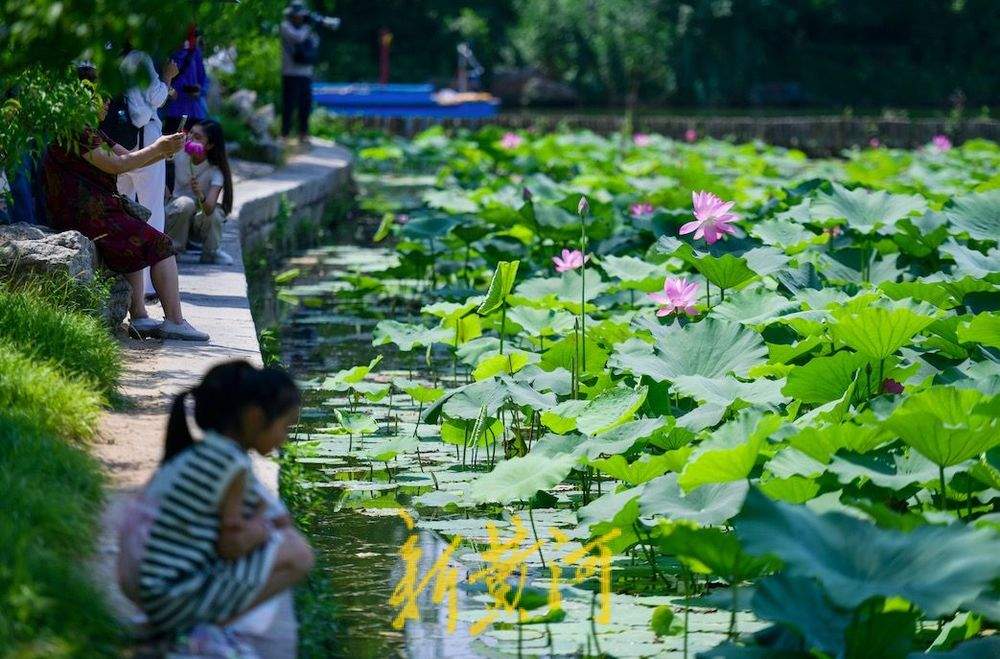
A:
x,y
346,491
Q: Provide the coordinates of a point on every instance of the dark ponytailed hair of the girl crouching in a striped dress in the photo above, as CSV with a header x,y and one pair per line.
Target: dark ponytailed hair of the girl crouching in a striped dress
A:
x,y
224,393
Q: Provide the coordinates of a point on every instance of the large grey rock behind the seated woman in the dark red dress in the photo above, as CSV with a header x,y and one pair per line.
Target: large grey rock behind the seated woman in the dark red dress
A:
x,y
24,248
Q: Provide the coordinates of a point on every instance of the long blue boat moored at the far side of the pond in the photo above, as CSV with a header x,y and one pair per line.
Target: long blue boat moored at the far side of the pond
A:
x,y
401,100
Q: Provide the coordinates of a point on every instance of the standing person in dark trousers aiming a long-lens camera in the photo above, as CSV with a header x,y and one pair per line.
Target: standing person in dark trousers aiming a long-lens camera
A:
x,y
299,53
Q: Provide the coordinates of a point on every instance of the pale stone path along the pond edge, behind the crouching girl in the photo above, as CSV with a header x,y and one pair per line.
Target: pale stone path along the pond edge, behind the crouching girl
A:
x,y
214,299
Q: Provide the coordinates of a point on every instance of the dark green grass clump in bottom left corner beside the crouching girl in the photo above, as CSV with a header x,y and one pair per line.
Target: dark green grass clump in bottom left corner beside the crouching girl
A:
x,y
51,498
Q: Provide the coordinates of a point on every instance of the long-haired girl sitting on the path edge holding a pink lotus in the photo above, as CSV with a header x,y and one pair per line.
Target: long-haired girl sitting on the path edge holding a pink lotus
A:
x,y
201,195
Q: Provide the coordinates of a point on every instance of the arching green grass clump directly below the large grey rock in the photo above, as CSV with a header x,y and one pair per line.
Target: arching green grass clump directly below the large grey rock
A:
x,y
76,343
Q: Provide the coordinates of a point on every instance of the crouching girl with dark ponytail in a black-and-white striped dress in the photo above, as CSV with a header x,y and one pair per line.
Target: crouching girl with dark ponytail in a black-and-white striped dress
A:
x,y
211,549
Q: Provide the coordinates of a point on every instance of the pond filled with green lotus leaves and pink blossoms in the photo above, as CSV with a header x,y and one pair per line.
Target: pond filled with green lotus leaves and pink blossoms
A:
x,y
758,394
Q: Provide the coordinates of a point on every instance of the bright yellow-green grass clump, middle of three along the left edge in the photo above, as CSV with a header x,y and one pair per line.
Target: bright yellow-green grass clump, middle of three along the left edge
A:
x,y
38,396
